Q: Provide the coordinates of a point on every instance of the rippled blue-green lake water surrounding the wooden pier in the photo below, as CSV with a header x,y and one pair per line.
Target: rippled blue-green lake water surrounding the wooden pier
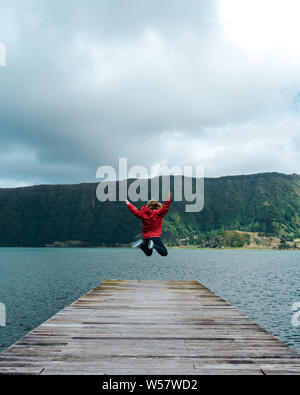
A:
x,y
36,283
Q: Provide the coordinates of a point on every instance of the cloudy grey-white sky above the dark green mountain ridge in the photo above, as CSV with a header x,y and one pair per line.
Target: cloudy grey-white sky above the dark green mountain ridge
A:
x,y
204,82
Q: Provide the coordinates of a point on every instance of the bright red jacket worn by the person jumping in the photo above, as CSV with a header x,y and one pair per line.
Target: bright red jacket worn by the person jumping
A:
x,y
152,219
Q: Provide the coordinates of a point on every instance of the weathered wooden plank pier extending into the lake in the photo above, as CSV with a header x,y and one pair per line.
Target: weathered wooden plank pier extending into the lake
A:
x,y
149,327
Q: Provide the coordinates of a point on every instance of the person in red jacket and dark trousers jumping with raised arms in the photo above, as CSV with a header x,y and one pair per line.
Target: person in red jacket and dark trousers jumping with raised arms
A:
x,y
152,215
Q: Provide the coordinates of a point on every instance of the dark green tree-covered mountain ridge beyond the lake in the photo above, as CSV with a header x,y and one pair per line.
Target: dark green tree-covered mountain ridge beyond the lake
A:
x,y
268,203
